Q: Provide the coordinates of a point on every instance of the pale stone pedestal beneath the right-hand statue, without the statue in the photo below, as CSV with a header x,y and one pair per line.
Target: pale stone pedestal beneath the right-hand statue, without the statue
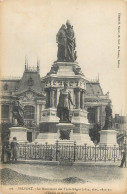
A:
x,y
108,138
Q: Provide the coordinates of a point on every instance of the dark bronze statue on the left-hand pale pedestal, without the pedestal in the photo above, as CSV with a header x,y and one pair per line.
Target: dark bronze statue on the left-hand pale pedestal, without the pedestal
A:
x,y
18,112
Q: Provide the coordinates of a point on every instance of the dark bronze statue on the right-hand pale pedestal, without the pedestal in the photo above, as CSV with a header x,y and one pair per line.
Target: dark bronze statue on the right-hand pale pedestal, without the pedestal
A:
x,y
108,118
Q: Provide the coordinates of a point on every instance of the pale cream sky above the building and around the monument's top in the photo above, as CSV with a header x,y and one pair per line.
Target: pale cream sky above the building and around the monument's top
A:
x,y
29,29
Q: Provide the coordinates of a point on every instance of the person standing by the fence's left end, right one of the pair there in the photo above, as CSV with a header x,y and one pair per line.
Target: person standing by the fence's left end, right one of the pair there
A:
x,y
14,149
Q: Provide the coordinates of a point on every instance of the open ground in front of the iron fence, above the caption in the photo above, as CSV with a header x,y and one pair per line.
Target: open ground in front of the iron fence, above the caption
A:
x,y
58,173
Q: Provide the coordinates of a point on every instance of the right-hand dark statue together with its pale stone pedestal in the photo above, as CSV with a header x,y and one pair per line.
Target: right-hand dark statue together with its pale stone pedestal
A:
x,y
108,136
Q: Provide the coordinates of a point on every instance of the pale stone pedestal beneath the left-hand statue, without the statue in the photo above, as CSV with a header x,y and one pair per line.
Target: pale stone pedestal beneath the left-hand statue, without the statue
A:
x,y
20,133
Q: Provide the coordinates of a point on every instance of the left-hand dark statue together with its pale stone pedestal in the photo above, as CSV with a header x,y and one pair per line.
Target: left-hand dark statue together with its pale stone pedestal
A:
x,y
18,130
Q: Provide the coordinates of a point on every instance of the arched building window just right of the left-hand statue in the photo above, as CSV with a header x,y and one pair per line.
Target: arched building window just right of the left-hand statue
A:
x,y
29,112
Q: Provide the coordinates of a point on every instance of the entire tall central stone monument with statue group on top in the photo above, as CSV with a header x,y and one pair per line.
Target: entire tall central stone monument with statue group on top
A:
x,y
64,116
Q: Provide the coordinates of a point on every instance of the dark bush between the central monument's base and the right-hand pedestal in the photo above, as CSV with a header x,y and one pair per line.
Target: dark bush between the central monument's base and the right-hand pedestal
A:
x,y
94,133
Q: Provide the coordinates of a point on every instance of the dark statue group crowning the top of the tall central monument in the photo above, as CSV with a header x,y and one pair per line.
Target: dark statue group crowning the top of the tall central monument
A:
x,y
65,39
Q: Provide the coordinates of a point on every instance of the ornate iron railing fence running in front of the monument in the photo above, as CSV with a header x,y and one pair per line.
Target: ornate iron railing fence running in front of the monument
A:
x,y
72,153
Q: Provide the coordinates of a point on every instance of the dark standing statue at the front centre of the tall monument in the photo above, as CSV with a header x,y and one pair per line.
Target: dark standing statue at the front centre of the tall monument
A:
x,y
64,104
